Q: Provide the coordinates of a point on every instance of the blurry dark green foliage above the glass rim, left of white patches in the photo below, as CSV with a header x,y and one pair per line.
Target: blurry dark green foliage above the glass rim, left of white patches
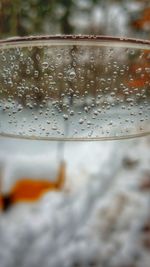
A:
x,y
29,17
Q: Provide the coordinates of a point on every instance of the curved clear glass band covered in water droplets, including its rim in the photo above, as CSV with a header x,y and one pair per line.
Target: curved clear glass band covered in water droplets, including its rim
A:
x,y
74,88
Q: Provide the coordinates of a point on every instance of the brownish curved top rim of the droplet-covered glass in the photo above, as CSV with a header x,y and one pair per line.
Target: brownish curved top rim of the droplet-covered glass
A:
x,y
90,39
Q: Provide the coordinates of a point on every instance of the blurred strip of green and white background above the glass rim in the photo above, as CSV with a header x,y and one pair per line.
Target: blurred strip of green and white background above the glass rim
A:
x,y
129,18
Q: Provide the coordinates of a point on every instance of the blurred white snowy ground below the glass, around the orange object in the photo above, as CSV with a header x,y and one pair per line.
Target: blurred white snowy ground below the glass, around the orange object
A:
x,y
101,218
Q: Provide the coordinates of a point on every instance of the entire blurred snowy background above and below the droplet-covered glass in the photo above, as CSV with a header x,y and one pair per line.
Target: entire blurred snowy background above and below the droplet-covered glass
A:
x,y
99,215
